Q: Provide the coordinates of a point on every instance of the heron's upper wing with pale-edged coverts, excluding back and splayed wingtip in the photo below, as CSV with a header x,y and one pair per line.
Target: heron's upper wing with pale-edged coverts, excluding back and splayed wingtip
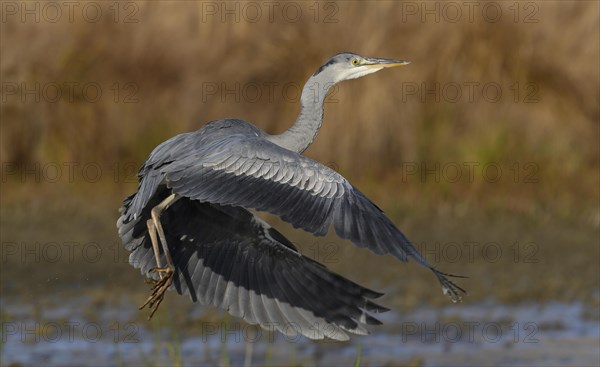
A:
x,y
251,172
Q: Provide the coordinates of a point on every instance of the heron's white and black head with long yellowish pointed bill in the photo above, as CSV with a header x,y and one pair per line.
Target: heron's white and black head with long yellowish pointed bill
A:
x,y
347,65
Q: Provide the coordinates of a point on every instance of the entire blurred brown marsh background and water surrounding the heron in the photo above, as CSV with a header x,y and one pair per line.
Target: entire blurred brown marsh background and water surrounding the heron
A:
x,y
484,151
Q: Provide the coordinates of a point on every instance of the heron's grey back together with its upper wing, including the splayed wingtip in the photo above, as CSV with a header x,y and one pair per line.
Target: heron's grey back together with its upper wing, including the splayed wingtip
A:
x,y
232,163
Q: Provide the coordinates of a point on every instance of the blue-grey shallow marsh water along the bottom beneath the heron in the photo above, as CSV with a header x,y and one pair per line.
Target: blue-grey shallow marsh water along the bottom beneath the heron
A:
x,y
477,334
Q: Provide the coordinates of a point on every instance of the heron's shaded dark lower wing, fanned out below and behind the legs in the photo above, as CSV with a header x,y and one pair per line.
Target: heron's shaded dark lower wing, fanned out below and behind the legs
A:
x,y
227,257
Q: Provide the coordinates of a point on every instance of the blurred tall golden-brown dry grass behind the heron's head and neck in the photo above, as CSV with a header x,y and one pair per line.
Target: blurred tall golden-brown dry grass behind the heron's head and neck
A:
x,y
177,49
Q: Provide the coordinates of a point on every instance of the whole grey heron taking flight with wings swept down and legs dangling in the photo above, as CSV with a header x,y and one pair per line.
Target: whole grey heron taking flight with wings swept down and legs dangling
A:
x,y
191,225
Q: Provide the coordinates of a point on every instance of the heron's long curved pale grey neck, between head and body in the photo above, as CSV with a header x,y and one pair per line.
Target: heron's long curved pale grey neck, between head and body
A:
x,y
309,121
